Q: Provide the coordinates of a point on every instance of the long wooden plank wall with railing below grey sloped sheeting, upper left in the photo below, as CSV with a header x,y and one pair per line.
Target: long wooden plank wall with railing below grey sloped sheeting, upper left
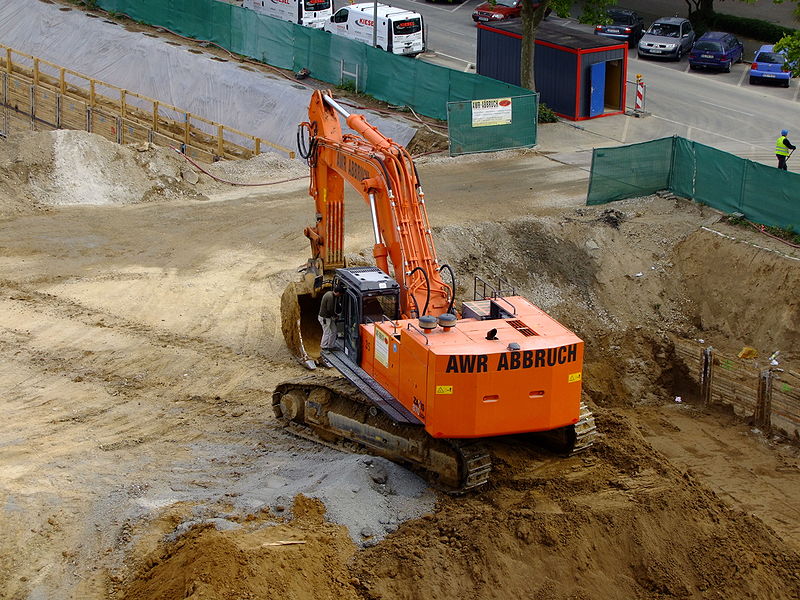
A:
x,y
47,96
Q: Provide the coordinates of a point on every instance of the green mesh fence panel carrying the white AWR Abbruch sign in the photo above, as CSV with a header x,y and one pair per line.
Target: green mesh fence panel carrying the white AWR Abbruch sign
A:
x,y
492,124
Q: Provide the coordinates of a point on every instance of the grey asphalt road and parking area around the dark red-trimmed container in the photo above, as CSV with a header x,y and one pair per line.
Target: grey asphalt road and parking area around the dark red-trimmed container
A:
x,y
719,109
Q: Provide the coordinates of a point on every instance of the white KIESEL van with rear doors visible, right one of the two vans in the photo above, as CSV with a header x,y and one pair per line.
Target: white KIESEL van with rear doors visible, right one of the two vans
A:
x,y
400,31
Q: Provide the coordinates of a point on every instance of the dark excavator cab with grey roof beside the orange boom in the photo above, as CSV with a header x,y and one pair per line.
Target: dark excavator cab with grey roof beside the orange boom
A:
x,y
370,296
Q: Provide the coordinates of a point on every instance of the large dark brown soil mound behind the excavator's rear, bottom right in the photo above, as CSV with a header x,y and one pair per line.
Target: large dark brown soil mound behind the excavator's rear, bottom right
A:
x,y
622,523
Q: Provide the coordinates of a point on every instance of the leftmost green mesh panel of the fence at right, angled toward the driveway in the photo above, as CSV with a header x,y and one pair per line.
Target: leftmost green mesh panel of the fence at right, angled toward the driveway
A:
x,y
630,171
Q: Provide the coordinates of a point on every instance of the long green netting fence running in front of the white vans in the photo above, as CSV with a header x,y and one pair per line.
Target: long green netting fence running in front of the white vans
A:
x,y
398,80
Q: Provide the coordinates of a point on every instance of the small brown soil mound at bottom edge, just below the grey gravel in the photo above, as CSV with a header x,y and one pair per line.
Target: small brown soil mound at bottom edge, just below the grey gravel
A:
x,y
302,559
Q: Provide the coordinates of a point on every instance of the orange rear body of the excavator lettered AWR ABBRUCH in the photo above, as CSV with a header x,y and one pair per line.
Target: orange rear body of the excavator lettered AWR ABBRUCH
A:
x,y
461,385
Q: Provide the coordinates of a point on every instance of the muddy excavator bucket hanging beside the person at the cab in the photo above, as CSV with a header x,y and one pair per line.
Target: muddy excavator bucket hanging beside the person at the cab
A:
x,y
301,329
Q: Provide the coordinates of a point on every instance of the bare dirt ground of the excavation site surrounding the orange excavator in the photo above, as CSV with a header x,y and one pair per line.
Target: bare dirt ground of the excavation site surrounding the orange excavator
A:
x,y
141,339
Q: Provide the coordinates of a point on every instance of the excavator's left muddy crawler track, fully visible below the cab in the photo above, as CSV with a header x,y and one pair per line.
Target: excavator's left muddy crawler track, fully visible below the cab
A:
x,y
332,411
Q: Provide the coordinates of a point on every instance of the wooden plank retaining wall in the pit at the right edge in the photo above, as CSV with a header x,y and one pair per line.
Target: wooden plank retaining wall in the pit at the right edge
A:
x,y
767,395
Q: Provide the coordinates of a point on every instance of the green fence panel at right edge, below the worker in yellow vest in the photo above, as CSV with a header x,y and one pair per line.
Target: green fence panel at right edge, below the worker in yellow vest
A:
x,y
770,196
